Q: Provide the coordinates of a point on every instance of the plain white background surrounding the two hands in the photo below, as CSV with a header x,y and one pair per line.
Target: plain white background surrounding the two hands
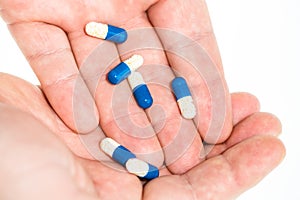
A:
x,y
260,46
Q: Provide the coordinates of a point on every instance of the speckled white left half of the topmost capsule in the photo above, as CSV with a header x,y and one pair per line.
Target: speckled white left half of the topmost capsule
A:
x,y
96,29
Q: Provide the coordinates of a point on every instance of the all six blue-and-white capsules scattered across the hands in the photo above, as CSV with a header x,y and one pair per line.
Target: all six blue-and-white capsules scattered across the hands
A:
x,y
127,70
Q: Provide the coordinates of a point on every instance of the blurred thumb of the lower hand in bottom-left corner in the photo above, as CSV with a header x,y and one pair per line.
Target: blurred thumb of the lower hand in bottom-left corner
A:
x,y
35,164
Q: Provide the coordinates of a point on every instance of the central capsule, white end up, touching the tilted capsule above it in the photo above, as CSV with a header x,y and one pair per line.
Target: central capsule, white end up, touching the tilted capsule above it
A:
x,y
140,90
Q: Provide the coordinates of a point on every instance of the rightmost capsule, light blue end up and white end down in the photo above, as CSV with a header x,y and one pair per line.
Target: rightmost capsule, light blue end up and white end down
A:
x,y
184,98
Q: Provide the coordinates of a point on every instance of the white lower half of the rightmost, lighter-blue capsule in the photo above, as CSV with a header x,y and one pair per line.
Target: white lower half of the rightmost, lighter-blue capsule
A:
x,y
187,107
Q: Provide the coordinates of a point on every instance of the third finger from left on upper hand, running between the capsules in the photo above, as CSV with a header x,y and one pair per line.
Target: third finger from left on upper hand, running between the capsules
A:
x,y
178,137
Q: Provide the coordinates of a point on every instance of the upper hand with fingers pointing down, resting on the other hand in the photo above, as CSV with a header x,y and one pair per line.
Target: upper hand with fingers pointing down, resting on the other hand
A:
x,y
51,36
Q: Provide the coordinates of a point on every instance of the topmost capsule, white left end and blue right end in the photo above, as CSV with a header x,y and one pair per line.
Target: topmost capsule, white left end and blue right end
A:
x,y
106,32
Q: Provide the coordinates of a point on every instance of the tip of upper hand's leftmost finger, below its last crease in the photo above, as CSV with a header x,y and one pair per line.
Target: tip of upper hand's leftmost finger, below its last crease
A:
x,y
73,103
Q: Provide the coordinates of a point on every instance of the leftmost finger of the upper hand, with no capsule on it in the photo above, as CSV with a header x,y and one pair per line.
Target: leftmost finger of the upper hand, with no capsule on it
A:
x,y
48,51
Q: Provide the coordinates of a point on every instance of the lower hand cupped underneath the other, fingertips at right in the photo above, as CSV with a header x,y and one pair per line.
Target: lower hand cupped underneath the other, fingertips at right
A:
x,y
38,165
